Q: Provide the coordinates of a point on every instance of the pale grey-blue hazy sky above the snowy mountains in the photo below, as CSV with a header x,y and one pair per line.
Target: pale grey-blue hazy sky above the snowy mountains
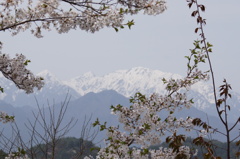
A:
x,y
156,42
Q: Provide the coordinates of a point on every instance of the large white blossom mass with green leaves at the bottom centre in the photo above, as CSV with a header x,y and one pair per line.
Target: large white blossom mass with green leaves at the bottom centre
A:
x,y
144,126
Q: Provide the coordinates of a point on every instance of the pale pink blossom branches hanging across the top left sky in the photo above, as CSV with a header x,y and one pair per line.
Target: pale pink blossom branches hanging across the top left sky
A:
x,y
64,15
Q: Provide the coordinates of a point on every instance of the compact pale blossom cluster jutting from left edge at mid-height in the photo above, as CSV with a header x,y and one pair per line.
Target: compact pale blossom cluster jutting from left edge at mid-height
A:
x,y
15,70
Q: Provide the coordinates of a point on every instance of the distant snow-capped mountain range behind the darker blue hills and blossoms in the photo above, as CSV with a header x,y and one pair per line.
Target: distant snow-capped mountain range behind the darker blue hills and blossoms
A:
x,y
125,82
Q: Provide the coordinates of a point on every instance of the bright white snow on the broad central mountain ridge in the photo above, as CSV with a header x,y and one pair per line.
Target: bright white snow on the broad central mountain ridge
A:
x,y
126,82
